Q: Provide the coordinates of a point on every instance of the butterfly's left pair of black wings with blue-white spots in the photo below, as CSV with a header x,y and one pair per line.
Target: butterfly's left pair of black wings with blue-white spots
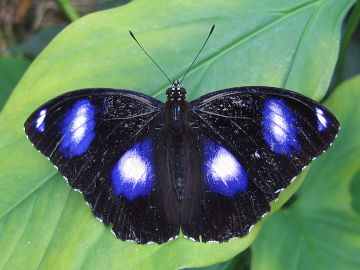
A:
x,y
91,135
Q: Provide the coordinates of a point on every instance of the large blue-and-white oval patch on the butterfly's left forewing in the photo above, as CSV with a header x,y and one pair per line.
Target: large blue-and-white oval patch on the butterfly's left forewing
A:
x,y
77,128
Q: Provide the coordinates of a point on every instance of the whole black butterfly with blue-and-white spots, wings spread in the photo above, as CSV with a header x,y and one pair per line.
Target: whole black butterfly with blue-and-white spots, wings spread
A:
x,y
208,168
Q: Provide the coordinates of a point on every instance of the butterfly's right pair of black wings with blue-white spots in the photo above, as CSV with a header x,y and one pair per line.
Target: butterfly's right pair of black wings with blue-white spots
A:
x,y
254,141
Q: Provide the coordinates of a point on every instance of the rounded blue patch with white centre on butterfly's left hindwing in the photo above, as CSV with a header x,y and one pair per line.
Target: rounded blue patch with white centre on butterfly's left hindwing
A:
x,y
133,174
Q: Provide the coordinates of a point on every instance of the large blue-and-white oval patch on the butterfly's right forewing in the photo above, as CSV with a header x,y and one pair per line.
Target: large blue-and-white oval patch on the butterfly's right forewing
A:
x,y
279,127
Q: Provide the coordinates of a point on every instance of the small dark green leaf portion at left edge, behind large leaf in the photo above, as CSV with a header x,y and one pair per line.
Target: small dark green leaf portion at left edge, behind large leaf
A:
x,y
11,70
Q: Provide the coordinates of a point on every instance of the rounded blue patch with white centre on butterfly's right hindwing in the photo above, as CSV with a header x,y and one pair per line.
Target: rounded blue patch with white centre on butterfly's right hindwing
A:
x,y
223,172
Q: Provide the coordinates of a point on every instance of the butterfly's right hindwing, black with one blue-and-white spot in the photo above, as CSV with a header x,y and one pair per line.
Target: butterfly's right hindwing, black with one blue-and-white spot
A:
x,y
220,201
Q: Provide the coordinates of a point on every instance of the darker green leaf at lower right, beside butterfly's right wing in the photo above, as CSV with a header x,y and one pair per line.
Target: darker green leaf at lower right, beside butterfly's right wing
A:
x,y
321,229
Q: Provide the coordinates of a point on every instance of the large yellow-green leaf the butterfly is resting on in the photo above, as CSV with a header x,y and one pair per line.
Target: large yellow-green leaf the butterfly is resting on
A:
x,y
44,223
